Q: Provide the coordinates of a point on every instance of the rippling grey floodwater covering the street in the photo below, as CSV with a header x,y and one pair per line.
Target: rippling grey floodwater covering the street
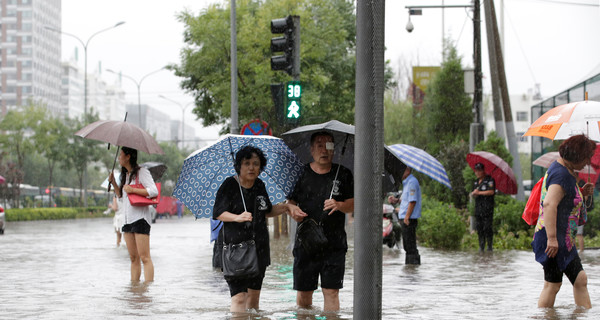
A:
x,y
72,269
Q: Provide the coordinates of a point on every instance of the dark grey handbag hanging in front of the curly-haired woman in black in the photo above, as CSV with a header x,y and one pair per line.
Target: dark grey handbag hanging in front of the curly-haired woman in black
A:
x,y
240,259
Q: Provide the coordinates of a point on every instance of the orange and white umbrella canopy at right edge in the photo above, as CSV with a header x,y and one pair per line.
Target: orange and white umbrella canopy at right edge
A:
x,y
564,121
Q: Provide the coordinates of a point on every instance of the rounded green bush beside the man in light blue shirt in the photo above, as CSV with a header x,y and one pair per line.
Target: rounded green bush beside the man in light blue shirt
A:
x,y
441,226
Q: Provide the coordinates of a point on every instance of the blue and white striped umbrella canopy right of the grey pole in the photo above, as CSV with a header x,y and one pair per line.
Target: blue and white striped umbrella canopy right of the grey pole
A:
x,y
421,161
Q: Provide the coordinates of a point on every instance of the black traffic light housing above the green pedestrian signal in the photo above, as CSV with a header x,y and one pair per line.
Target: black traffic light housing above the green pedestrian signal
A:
x,y
289,44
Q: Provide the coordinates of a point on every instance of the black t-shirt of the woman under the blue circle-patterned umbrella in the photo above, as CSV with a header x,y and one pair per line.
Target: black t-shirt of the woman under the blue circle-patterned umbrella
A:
x,y
228,198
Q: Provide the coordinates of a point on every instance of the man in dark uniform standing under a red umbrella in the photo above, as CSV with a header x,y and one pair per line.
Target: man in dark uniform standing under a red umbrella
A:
x,y
484,189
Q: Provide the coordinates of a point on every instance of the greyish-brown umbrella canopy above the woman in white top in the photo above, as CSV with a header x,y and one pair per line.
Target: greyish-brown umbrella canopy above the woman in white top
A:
x,y
121,133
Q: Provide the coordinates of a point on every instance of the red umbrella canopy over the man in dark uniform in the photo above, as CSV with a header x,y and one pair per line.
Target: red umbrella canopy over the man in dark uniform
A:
x,y
497,168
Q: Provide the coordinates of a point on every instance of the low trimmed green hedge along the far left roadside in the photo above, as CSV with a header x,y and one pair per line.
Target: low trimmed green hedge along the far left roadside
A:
x,y
30,214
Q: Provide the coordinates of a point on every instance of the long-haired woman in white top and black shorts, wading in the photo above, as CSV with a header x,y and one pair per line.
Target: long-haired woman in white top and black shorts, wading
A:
x,y
137,219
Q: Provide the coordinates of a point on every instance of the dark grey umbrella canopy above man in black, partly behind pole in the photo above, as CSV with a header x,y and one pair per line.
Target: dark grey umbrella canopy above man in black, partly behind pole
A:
x,y
298,140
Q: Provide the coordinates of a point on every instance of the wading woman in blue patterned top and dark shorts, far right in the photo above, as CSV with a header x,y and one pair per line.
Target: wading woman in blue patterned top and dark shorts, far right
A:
x,y
563,209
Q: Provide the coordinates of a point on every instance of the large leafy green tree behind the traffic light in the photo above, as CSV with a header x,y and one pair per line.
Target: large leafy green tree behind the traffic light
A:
x,y
328,40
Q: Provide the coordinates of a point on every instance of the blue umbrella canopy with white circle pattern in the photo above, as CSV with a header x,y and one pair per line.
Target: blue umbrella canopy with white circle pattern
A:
x,y
205,170
